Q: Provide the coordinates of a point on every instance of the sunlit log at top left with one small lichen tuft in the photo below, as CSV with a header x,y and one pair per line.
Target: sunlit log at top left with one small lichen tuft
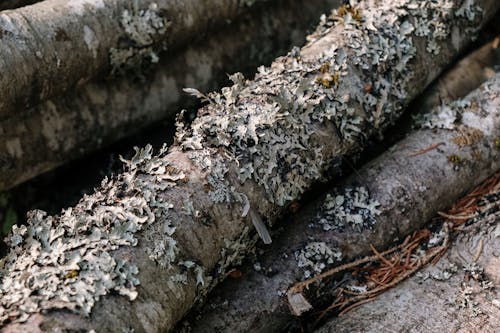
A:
x,y
54,45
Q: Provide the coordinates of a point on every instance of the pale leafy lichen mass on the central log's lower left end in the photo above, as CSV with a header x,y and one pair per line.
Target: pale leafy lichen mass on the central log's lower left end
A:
x,y
68,261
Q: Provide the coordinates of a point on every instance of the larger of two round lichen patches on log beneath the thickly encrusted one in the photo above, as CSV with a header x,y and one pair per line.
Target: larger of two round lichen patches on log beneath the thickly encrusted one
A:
x,y
348,207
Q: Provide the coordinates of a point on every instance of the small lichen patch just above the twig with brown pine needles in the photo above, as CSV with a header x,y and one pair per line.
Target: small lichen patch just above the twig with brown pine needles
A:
x,y
315,257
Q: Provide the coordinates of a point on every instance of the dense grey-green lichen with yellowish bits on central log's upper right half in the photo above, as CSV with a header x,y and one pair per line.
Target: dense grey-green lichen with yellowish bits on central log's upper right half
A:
x,y
272,126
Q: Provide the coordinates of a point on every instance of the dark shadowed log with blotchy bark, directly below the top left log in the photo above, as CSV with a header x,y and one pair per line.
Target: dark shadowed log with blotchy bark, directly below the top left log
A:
x,y
99,113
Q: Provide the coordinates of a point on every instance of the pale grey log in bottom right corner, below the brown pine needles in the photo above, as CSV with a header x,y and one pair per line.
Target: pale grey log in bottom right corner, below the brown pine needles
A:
x,y
458,294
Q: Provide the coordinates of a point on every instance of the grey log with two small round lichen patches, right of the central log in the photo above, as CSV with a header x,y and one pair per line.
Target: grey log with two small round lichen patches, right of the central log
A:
x,y
383,202
